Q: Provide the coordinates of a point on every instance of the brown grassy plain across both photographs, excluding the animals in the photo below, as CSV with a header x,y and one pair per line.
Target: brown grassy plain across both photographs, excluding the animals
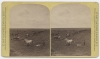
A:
x,y
58,46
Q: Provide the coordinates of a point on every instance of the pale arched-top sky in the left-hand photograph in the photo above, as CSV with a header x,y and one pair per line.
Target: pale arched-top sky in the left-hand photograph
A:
x,y
29,16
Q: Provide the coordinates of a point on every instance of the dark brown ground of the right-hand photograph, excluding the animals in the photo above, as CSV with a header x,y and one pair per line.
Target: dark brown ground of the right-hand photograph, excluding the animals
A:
x,y
59,47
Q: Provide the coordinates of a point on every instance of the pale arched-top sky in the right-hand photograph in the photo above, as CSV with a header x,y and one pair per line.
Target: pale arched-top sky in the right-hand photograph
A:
x,y
71,16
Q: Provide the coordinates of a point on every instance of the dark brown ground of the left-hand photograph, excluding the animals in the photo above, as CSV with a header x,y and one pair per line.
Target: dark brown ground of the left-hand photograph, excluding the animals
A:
x,y
19,47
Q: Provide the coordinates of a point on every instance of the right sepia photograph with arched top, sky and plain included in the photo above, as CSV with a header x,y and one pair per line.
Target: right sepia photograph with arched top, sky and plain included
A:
x,y
70,30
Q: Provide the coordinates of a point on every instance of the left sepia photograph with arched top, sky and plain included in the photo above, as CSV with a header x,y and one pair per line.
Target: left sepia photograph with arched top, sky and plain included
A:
x,y
29,30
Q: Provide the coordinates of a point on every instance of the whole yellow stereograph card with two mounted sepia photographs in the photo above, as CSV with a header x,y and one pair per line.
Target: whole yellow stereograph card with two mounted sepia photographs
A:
x,y
50,29
